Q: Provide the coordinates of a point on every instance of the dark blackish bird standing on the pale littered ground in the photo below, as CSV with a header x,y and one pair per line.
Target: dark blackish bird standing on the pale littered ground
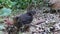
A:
x,y
24,19
